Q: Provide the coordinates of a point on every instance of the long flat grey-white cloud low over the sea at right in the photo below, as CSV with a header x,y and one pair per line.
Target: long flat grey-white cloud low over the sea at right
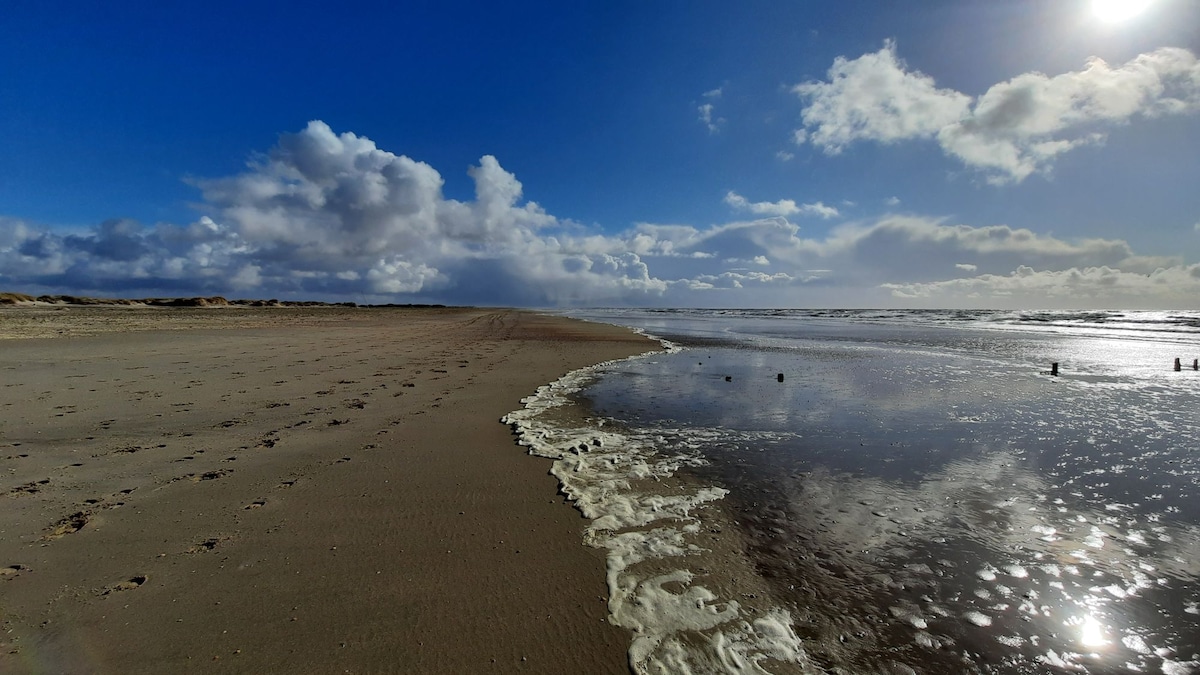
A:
x,y
890,254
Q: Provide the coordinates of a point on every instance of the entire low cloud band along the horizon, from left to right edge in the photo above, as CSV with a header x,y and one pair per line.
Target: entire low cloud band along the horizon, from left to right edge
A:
x,y
332,216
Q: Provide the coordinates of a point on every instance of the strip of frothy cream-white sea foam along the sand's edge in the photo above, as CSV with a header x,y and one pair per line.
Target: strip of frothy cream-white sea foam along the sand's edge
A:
x,y
646,522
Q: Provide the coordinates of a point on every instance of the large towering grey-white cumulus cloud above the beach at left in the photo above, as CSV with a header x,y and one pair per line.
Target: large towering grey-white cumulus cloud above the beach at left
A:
x,y
328,214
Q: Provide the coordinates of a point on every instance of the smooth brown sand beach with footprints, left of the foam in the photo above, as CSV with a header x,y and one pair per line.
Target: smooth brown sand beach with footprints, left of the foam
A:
x,y
290,491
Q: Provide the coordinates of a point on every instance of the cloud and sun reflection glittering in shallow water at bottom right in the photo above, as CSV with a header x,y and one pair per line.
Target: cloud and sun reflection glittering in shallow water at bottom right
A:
x,y
980,554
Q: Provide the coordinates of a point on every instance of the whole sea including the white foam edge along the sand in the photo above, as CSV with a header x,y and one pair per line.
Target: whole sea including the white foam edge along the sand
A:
x,y
891,492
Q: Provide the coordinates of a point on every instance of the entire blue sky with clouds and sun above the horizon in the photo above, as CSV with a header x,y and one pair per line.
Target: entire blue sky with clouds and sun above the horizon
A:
x,y
1004,154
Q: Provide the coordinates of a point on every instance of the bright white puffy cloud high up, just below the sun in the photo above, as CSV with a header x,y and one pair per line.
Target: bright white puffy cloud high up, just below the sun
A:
x,y
1016,129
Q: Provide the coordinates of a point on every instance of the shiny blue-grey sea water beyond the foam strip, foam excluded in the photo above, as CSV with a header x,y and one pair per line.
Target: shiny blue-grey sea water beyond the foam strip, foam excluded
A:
x,y
926,498
